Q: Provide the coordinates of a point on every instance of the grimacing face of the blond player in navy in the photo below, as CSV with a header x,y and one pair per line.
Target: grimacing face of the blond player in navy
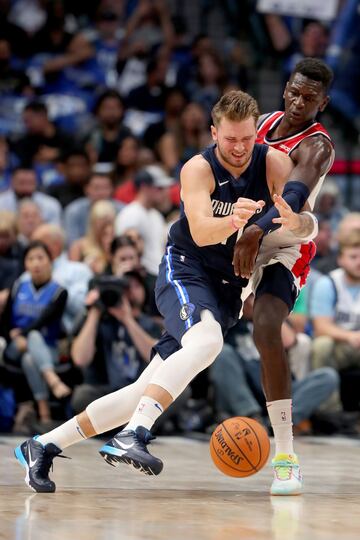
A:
x,y
235,141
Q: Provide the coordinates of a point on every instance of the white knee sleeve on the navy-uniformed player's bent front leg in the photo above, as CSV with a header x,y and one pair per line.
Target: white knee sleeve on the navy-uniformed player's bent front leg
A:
x,y
200,346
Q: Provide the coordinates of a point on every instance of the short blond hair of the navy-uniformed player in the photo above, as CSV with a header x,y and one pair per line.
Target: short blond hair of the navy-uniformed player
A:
x,y
236,106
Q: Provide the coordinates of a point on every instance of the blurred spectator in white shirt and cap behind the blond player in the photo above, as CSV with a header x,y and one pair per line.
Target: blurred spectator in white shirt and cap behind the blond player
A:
x,y
152,186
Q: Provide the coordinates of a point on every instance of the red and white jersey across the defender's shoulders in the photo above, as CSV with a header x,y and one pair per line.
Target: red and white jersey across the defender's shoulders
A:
x,y
287,144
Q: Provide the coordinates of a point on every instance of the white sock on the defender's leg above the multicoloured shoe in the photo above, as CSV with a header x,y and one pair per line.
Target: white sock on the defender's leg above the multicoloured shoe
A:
x,y
281,421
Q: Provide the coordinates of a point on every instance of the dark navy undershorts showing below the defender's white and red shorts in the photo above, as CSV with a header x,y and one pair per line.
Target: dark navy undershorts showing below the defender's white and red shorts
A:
x,y
278,281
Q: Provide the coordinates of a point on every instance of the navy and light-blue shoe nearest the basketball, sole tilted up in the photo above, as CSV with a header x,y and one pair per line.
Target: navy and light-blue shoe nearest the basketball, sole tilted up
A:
x,y
130,447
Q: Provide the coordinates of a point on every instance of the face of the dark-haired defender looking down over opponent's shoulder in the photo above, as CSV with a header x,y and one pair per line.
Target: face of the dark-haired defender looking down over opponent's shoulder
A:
x,y
304,98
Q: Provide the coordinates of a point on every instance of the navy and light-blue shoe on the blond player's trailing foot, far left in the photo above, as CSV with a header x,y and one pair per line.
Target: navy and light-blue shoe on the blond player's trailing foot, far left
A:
x,y
37,460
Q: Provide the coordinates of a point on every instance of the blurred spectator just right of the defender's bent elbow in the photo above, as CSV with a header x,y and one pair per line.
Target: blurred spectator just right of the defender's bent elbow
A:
x,y
329,205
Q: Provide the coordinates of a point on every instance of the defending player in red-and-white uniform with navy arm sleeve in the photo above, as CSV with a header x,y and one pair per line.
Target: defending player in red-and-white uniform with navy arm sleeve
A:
x,y
278,261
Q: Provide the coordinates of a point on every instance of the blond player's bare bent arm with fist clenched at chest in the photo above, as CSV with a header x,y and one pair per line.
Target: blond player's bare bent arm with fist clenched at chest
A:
x,y
197,184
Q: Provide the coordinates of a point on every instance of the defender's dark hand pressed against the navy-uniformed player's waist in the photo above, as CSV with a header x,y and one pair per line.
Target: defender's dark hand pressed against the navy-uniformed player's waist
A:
x,y
246,250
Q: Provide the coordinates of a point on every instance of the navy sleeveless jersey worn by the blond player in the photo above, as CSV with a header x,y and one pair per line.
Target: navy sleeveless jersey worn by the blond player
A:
x,y
251,184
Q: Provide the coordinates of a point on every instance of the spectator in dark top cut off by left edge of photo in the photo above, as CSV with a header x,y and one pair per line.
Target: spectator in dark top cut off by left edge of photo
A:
x,y
11,254
